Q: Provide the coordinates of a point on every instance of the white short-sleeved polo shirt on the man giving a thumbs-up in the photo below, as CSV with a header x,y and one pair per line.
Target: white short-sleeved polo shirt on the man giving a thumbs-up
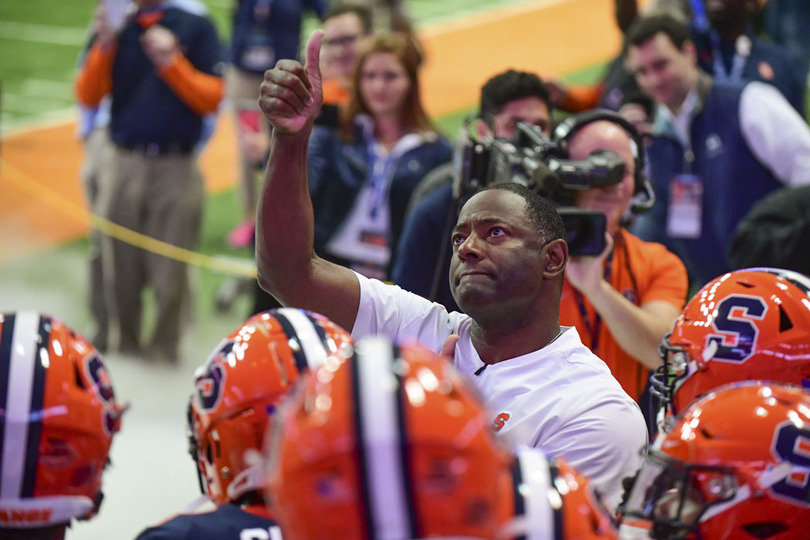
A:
x,y
561,399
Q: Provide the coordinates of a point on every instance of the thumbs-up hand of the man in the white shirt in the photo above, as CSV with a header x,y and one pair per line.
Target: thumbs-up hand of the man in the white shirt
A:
x,y
291,94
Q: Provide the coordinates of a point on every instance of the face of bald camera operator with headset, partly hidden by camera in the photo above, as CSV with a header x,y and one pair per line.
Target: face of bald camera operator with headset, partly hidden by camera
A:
x,y
613,200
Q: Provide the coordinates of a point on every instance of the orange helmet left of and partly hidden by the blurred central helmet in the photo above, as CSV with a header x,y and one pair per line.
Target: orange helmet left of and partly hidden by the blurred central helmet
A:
x,y
238,389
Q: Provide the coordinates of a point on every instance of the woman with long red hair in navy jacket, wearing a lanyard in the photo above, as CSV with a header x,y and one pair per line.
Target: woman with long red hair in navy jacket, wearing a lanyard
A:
x,y
362,173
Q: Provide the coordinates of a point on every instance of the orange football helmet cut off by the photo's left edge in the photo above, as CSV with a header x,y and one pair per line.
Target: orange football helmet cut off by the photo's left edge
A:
x,y
58,415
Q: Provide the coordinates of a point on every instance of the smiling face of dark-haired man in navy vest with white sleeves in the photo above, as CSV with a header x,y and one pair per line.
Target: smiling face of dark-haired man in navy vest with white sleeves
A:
x,y
666,73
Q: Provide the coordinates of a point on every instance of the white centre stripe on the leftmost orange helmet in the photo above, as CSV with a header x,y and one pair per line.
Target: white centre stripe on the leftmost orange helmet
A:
x,y
18,403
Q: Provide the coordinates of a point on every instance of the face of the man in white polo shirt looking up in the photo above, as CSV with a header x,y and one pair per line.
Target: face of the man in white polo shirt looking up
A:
x,y
496,254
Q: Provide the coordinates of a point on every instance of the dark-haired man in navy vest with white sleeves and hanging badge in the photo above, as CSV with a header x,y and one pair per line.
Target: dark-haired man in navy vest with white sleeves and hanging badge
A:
x,y
717,147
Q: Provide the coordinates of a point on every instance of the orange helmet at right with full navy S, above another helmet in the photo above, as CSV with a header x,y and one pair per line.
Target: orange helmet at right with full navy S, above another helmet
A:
x,y
751,324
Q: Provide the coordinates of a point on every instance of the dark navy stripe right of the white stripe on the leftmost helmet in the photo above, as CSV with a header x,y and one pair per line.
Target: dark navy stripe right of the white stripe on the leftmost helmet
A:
x,y
37,401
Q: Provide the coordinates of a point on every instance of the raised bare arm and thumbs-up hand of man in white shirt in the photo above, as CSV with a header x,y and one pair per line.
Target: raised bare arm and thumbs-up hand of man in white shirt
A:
x,y
288,268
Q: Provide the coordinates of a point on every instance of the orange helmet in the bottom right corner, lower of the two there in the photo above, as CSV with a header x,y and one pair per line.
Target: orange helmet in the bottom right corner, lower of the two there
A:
x,y
736,465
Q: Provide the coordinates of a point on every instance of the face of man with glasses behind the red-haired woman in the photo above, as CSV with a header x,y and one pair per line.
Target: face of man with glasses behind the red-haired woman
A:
x,y
343,41
